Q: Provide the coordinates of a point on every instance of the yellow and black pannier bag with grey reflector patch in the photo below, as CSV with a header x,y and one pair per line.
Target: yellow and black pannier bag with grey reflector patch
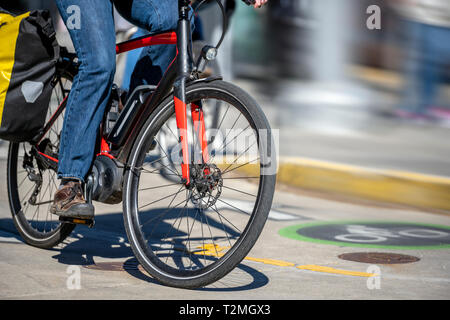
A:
x,y
28,55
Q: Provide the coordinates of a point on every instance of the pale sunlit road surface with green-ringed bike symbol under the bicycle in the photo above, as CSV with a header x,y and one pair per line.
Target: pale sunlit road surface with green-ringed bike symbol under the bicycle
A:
x,y
296,257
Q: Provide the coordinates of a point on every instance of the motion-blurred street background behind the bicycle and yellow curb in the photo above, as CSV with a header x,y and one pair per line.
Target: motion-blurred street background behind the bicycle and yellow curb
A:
x,y
360,82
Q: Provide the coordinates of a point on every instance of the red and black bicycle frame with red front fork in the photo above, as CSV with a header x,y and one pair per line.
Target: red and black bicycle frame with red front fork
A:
x,y
176,77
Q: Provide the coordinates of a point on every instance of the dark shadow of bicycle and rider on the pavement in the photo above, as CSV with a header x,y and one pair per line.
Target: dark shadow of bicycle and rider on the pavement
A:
x,y
108,240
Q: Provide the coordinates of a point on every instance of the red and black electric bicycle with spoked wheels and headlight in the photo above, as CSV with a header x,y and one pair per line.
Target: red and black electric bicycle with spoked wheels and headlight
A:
x,y
188,233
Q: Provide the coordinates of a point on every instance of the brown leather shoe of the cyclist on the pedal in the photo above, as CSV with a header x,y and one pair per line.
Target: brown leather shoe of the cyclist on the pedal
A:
x,y
69,202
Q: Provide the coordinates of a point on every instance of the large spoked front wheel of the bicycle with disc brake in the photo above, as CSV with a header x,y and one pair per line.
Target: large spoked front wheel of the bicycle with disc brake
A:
x,y
192,236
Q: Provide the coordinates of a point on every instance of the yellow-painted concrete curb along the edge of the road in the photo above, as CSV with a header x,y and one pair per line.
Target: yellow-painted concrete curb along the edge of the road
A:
x,y
400,187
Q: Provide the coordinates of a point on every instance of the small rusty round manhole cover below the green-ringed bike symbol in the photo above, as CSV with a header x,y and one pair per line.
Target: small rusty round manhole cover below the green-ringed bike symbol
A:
x,y
378,257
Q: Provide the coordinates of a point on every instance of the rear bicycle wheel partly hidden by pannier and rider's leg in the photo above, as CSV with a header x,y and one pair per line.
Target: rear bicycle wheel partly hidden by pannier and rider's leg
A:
x,y
31,183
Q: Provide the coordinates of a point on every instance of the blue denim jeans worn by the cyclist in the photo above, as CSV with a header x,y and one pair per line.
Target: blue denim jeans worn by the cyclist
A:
x,y
91,28
